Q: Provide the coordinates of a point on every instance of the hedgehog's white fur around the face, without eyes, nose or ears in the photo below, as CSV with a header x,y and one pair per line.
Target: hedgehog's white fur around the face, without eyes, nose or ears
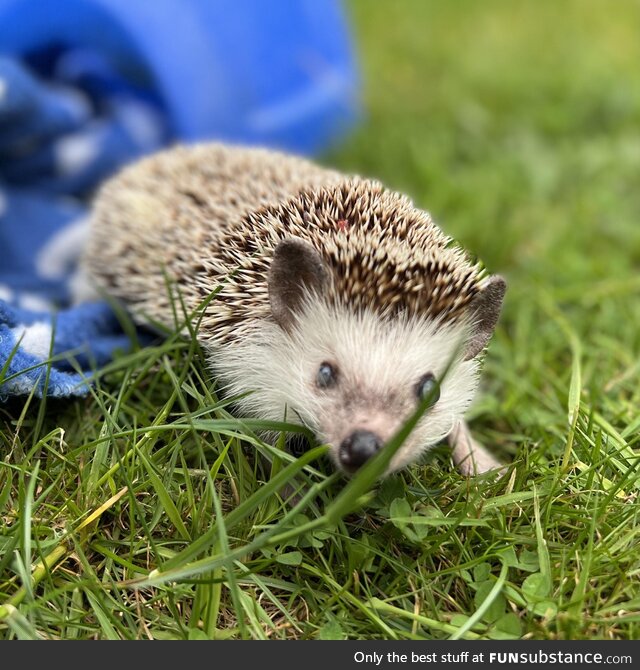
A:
x,y
380,362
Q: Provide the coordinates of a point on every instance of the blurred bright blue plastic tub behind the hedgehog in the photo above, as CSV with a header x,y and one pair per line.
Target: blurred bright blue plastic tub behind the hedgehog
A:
x,y
274,73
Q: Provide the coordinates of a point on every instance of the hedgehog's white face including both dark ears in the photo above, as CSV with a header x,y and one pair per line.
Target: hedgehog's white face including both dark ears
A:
x,y
355,378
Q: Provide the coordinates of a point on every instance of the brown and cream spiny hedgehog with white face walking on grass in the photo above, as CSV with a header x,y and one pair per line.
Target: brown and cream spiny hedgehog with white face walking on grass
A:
x,y
337,304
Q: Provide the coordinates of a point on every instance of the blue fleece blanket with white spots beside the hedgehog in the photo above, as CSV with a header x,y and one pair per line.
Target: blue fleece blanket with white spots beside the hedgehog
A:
x,y
58,140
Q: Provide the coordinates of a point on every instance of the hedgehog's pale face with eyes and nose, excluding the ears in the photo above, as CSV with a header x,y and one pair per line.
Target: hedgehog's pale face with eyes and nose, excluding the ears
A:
x,y
356,378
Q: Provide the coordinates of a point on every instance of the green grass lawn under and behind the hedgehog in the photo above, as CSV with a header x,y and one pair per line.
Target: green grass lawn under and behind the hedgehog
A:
x,y
143,510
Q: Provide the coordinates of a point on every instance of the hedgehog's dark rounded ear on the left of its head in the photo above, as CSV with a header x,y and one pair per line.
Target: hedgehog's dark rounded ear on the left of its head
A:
x,y
296,269
